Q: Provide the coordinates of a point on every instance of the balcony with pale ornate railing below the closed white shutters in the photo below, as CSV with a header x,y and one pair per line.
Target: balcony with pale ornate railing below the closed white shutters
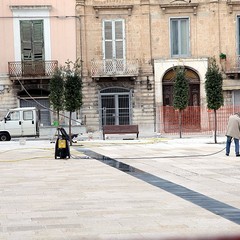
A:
x,y
114,68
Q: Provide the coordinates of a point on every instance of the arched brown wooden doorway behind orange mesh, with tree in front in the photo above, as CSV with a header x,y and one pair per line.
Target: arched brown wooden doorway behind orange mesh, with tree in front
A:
x,y
191,115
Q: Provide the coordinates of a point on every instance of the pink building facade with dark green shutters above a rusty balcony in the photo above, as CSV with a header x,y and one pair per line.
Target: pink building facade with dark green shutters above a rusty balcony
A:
x,y
35,38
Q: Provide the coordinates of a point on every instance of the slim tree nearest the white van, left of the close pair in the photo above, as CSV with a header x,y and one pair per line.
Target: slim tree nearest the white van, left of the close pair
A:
x,y
57,92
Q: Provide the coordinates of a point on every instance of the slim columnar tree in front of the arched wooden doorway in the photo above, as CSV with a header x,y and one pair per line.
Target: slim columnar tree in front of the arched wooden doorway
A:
x,y
180,94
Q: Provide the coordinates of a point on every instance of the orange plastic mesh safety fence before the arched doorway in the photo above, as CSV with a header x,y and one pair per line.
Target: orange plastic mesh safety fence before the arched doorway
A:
x,y
195,119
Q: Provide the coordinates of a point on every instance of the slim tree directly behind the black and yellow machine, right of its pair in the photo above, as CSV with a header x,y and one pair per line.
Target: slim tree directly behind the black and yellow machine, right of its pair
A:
x,y
73,91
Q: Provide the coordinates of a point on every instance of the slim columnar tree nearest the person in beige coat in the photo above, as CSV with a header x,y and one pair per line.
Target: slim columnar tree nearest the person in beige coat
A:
x,y
213,87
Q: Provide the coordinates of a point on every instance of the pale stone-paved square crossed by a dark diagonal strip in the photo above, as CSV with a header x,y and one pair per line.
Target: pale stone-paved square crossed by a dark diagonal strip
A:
x,y
183,188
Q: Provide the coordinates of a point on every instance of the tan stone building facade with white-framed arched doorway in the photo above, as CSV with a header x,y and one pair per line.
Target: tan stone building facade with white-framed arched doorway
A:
x,y
129,50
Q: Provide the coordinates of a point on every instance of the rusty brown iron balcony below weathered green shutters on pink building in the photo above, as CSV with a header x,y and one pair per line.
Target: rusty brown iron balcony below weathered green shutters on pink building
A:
x,y
31,69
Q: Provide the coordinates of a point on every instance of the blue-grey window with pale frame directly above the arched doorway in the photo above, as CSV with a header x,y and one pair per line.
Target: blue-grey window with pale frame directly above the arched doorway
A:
x,y
179,30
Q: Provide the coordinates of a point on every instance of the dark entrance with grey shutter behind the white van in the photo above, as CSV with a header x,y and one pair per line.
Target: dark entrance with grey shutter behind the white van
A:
x,y
37,98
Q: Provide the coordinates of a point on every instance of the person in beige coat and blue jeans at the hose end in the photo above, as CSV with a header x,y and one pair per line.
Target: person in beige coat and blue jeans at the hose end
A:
x,y
233,132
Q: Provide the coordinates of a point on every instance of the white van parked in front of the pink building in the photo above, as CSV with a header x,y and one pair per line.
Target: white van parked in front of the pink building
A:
x,y
20,122
